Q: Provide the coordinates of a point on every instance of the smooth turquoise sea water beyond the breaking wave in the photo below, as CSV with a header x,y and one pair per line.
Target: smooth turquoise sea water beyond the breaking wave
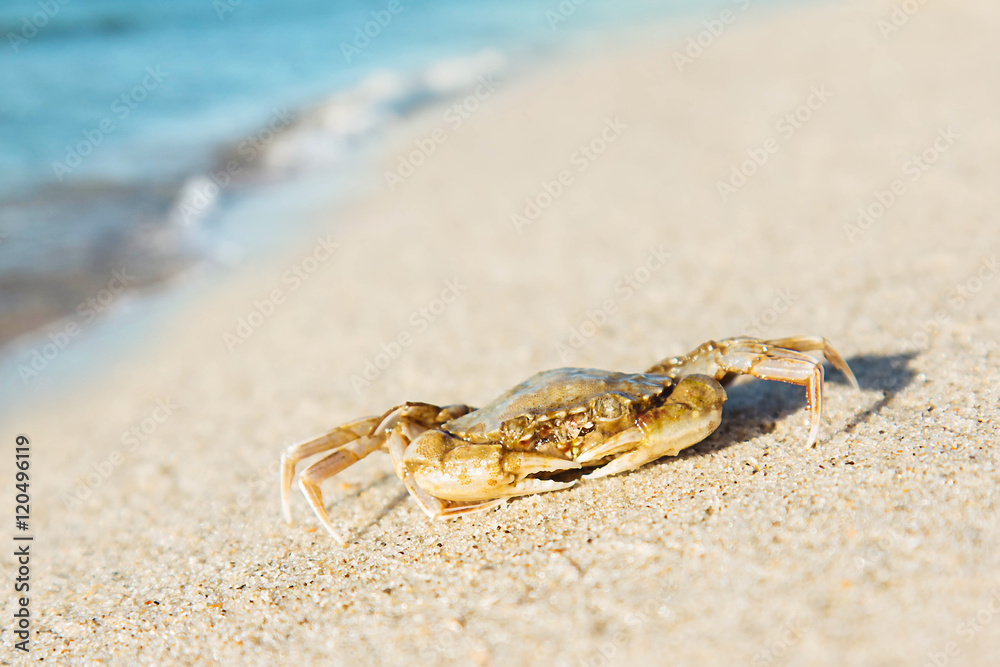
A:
x,y
224,65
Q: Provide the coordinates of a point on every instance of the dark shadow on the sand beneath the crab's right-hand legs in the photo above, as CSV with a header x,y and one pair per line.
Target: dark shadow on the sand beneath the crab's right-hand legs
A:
x,y
754,407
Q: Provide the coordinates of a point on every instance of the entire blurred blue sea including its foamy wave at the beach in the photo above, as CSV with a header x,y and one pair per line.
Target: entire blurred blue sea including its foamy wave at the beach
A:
x,y
115,113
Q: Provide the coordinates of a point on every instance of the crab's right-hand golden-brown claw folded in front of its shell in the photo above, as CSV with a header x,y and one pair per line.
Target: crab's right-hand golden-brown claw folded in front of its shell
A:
x,y
691,413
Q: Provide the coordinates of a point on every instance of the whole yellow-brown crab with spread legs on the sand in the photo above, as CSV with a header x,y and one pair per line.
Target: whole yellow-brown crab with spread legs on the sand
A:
x,y
556,427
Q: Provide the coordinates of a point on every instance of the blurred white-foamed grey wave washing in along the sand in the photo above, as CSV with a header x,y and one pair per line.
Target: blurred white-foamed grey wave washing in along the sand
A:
x,y
156,231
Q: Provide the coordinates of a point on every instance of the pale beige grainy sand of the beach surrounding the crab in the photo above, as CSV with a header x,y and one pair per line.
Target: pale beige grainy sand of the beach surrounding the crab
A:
x,y
879,546
